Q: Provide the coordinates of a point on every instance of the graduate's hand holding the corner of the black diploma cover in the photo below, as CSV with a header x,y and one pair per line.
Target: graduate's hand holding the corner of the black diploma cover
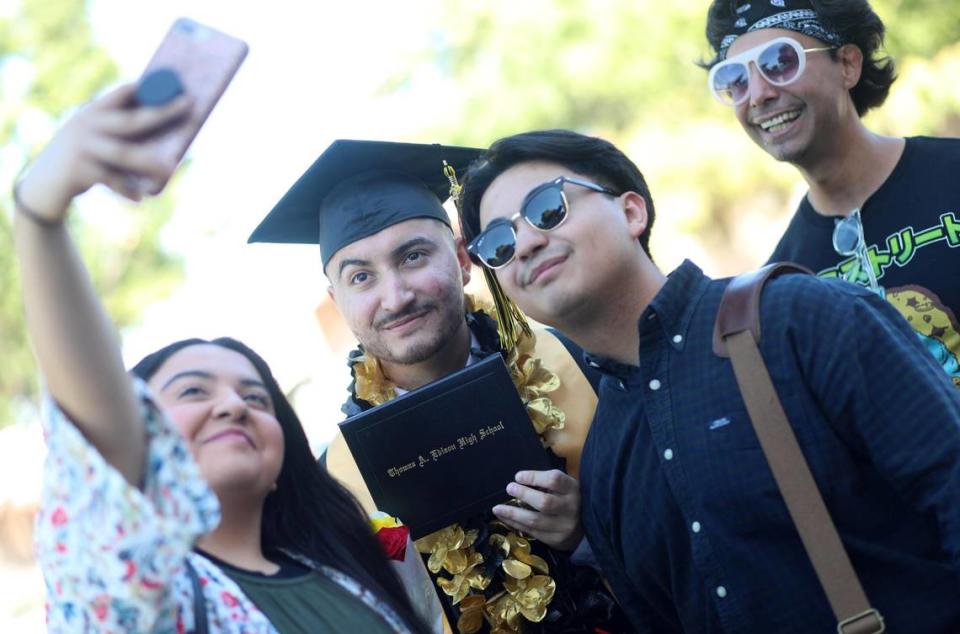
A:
x,y
555,496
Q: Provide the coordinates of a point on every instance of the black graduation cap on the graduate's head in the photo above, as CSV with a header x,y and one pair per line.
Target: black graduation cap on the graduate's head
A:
x,y
358,188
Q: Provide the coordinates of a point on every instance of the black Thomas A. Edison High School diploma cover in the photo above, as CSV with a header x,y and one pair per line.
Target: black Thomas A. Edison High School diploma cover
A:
x,y
445,452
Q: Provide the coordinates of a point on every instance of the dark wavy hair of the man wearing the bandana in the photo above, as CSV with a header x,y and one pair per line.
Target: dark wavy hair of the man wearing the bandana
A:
x,y
853,20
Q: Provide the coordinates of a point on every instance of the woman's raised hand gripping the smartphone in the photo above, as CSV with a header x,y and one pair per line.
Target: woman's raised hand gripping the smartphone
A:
x,y
99,144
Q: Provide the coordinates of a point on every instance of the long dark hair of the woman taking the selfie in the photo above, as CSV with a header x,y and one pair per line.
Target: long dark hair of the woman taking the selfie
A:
x,y
309,513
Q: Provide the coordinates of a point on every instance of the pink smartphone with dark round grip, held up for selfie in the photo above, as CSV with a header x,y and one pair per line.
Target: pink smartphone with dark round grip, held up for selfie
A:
x,y
203,61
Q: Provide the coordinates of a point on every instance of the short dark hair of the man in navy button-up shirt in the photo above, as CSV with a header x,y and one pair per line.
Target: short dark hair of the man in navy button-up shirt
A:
x,y
586,155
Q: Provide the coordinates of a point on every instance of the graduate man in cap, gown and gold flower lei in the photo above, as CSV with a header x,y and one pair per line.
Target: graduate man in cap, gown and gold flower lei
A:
x,y
397,273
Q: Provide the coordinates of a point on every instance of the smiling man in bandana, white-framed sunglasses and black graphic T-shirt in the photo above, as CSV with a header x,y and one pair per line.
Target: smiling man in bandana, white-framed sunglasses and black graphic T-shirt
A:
x,y
882,212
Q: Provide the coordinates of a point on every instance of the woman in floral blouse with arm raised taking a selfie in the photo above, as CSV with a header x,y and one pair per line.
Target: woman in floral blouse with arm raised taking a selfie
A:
x,y
184,497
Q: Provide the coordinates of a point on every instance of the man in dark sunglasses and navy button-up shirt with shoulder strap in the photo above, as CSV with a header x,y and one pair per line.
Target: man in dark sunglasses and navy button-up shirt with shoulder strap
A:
x,y
679,503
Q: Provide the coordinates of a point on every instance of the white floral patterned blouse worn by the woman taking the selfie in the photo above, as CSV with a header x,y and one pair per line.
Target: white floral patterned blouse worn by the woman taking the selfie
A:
x,y
113,556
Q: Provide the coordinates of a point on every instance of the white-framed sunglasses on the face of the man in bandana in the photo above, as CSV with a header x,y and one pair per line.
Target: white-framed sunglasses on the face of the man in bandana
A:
x,y
780,61
